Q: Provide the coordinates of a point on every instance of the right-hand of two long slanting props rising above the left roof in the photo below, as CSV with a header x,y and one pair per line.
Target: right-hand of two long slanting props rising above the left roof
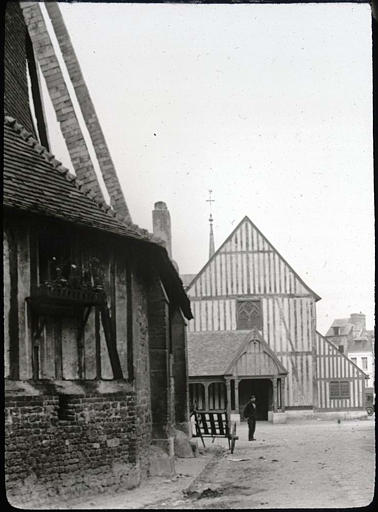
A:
x,y
108,171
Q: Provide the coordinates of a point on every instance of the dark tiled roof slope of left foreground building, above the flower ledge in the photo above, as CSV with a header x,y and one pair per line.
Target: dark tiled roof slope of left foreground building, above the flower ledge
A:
x,y
36,182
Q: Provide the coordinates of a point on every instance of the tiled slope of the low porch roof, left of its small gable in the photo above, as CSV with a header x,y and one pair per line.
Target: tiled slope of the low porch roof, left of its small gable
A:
x,y
211,352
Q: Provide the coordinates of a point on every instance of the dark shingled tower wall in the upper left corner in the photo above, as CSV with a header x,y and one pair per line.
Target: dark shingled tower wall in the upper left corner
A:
x,y
16,95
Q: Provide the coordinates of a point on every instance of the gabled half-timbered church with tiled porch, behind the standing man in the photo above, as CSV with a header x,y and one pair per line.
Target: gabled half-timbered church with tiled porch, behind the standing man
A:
x,y
254,332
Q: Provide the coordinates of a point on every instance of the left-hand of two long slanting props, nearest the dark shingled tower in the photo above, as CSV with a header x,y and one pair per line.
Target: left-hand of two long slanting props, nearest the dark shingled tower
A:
x,y
60,97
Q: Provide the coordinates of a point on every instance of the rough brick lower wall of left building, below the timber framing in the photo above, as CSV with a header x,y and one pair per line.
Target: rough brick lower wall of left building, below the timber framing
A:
x,y
67,445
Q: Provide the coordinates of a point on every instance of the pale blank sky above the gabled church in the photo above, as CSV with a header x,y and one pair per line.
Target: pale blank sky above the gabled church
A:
x,y
269,106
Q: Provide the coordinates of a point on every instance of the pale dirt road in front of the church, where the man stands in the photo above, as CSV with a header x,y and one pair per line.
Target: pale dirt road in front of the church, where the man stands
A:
x,y
317,464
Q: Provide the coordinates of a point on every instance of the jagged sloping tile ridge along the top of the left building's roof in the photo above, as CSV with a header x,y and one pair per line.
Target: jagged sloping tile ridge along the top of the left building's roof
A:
x,y
87,191
